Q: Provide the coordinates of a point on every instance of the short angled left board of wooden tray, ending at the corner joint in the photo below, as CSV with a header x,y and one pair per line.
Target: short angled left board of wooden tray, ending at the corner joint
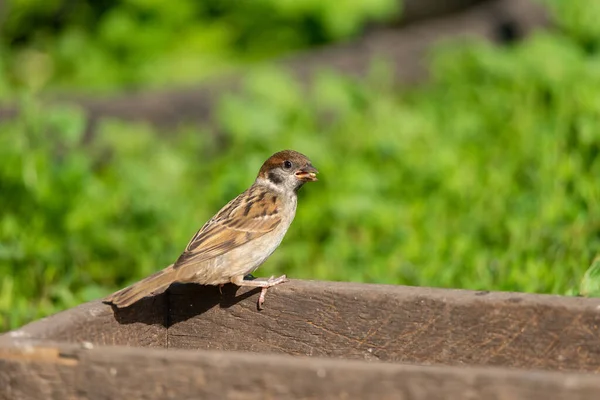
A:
x,y
143,325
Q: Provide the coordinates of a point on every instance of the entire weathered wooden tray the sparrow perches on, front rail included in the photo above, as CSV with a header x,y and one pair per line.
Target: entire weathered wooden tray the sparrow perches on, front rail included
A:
x,y
339,334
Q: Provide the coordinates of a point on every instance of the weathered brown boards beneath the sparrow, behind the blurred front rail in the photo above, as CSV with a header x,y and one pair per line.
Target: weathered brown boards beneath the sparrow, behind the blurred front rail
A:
x,y
351,321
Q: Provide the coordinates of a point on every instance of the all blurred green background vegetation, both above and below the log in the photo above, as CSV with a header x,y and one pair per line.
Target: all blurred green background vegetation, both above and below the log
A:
x,y
485,177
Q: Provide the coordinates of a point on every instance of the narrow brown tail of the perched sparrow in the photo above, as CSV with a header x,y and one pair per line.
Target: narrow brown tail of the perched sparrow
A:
x,y
150,286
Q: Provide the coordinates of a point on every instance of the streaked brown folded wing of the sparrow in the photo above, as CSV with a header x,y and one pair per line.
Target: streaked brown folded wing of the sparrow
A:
x,y
245,218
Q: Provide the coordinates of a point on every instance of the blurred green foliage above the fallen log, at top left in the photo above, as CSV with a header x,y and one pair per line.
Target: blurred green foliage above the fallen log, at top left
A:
x,y
104,45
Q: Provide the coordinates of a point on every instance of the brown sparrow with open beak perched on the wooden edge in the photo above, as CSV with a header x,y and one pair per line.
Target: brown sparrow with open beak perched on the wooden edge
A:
x,y
239,238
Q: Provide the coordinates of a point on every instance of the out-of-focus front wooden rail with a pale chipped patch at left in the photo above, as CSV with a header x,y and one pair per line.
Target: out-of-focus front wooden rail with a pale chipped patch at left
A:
x,y
63,371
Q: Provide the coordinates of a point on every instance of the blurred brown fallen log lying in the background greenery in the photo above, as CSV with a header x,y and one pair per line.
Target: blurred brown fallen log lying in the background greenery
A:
x,y
426,23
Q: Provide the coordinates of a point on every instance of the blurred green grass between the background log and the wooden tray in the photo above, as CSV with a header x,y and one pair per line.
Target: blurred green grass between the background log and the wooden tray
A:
x,y
484,178
